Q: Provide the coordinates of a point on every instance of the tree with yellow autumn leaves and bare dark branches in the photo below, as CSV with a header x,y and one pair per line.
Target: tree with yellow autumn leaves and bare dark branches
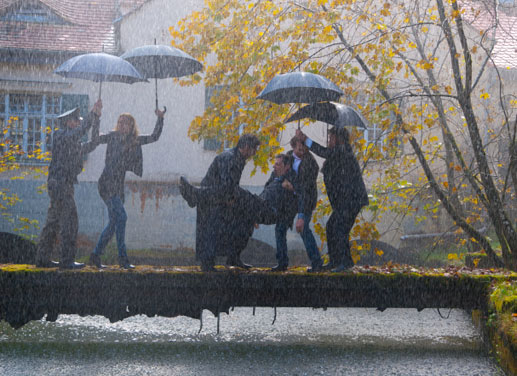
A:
x,y
424,72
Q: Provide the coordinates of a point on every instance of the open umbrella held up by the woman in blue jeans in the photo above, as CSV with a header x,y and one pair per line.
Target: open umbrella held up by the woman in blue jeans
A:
x,y
158,61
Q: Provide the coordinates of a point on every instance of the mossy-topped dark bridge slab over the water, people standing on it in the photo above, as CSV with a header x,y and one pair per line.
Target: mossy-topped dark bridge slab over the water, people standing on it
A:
x,y
29,293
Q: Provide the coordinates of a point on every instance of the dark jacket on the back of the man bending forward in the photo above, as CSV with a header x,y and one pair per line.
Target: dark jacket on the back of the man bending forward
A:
x,y
224,174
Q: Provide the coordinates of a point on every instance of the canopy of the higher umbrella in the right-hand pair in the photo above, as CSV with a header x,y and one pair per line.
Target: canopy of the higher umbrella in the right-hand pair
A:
x,y
300,87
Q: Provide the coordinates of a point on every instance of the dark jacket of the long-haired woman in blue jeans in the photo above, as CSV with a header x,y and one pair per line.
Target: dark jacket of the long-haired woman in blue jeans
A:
x,y
122,154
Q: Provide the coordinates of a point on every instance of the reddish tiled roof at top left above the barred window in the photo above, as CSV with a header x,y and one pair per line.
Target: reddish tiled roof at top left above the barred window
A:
x,y
78,26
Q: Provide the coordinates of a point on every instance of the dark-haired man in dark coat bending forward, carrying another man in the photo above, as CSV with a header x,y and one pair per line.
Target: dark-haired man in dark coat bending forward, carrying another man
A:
x,y
221,185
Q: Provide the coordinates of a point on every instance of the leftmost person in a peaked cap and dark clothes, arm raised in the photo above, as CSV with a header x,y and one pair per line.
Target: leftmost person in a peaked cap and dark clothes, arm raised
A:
x,y
67,162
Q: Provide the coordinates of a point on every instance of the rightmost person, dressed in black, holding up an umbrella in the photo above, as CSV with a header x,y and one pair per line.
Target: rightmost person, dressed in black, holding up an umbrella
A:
x,y
346,192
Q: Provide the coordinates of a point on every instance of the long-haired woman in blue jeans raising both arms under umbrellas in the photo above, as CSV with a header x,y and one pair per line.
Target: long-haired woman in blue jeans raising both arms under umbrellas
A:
x,y
123,153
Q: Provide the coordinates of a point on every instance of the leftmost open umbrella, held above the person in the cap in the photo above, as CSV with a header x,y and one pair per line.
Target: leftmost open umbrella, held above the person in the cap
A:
x,y
99,67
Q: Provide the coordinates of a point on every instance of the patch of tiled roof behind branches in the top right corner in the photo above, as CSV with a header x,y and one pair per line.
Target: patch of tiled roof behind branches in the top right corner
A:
x,y
504,31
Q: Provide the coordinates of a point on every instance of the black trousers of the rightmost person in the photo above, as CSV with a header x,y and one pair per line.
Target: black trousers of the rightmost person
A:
x,y
338,229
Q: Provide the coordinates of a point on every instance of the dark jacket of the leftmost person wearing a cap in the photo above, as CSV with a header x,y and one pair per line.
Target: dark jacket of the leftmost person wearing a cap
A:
x,y
68,151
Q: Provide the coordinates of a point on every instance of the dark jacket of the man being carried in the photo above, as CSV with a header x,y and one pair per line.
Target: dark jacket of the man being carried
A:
x,y
282,200
